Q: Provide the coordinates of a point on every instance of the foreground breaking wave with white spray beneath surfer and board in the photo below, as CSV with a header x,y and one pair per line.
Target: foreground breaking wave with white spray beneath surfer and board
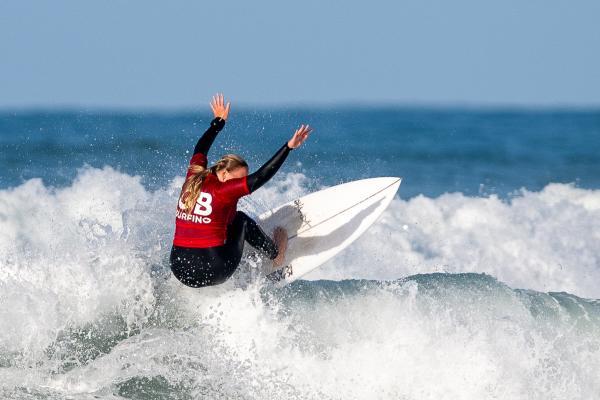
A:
x,y
432,336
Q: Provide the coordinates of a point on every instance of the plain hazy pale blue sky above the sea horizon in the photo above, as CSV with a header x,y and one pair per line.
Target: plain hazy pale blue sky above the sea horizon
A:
x,y
177,53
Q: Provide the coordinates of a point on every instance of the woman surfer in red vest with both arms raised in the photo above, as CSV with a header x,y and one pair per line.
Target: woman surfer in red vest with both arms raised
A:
x,y
209,231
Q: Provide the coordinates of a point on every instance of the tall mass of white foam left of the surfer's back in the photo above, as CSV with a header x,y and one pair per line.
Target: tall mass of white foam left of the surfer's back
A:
x,y
66,257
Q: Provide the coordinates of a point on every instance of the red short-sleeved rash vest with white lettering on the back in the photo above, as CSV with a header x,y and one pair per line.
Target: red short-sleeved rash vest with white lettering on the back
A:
x,y
206,224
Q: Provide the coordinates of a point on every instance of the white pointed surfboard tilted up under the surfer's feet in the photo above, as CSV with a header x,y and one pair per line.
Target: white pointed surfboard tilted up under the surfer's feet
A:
x,y
323,223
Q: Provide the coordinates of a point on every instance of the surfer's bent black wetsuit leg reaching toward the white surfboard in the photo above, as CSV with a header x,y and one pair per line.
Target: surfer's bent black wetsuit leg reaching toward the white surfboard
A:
x,y
243,228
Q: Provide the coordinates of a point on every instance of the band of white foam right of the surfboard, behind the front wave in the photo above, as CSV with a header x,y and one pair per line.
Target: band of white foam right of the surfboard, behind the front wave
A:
x,y
546,240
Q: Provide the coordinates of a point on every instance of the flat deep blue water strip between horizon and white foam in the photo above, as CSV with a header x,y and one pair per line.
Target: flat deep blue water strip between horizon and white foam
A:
x,y
435,150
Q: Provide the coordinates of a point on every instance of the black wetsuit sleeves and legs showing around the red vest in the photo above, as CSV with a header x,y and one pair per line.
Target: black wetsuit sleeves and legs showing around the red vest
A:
x,y
197,267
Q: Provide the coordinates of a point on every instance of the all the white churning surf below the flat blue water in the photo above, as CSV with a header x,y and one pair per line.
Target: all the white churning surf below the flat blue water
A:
x,y
81,265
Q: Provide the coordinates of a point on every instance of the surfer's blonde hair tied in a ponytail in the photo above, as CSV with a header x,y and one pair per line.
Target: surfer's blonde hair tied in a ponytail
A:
x,y
191,188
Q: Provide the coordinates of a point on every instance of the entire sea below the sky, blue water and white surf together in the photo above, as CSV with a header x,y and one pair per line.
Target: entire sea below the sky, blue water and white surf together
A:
x,y
478,282
